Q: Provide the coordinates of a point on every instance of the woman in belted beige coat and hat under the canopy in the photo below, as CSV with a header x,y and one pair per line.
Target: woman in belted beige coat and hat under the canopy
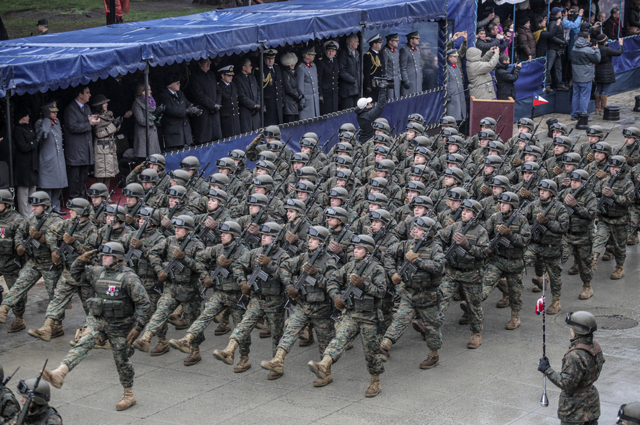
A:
x,y
104,149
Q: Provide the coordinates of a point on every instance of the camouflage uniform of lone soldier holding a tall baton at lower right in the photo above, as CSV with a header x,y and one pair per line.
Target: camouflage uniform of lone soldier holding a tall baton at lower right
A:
x,y
579,400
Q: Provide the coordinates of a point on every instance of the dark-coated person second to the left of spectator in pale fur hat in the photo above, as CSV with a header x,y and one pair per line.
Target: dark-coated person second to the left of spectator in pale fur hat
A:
x,y
248,97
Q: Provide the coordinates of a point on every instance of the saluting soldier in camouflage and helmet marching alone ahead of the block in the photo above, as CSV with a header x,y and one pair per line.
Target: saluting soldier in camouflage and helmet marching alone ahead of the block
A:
x,y
117,312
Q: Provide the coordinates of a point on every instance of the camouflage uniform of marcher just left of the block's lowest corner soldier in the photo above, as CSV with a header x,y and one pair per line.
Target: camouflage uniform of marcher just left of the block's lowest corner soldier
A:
x,y
314,307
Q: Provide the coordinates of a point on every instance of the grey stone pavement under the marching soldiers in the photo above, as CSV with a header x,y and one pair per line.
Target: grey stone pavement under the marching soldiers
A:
x,y
496,384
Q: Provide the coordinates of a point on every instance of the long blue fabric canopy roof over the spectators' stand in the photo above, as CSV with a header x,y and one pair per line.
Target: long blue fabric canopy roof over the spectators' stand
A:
x,y
67,59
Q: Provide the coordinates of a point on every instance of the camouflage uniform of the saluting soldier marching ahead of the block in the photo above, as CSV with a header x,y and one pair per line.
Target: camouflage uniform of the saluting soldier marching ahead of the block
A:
x,y
114,328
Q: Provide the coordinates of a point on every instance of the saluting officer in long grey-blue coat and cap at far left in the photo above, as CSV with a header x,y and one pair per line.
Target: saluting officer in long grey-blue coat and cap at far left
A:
x,y
52,175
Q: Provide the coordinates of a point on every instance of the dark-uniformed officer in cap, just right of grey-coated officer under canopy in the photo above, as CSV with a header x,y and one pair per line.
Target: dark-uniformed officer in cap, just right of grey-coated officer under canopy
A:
x,y
328,77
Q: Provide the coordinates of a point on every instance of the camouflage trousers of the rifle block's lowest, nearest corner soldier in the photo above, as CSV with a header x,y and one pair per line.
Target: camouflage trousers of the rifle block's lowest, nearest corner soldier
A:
x,y
349,325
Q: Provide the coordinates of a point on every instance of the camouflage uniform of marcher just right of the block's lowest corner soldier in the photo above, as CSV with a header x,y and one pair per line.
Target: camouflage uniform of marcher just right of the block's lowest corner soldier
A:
x,y
418,293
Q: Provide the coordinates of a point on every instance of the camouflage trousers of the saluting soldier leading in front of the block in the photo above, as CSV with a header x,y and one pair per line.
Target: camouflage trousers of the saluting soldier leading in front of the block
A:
x,y
113,330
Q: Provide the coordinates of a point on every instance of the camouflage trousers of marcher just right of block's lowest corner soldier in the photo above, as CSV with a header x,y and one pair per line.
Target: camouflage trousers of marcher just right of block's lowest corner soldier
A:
x,y
423,304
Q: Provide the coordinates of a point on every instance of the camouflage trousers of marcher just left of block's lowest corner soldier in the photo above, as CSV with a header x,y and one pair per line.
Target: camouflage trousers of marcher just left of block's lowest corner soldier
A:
x,y
303,314
